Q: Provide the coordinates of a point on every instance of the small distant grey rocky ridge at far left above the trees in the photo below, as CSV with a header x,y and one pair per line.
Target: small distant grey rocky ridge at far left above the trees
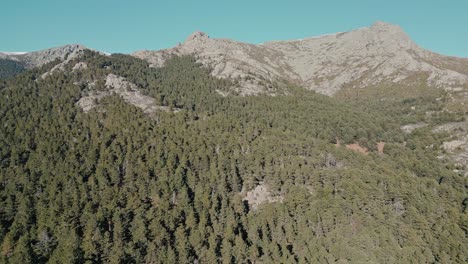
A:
x,y
38,58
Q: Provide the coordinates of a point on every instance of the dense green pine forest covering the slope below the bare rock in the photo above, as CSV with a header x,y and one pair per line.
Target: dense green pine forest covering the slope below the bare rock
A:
x,y
117,185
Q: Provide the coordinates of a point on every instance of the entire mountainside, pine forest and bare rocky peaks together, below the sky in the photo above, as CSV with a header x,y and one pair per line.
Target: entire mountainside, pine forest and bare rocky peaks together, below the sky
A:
x,y
117,159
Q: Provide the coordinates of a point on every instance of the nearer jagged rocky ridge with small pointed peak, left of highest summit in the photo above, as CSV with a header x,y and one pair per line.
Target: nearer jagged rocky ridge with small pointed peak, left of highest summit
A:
x,y
228,58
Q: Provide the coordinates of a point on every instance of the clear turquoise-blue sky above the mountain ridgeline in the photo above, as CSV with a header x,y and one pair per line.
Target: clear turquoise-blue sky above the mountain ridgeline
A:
x,y
127,26
